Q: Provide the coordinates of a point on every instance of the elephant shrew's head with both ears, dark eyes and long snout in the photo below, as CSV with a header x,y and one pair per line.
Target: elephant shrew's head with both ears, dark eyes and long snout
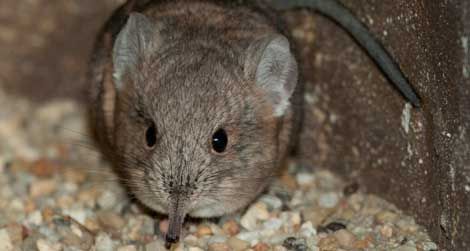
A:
x,y
197,129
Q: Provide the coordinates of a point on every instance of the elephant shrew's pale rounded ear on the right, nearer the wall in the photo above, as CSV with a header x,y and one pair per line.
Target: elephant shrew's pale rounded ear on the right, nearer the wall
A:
x,y
276,70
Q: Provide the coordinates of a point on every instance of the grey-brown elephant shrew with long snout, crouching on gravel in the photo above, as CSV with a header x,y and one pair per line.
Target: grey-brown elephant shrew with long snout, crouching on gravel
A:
x,y
196,102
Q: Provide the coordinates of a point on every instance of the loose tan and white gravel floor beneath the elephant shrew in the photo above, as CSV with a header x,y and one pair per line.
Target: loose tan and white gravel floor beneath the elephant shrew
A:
x,y
57,194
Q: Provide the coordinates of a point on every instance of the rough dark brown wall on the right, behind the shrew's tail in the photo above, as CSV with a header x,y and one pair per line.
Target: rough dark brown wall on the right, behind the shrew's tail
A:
x,y
357,125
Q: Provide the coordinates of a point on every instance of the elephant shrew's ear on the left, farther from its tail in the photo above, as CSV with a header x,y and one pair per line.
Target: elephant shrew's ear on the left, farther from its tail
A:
x,y
138,38
